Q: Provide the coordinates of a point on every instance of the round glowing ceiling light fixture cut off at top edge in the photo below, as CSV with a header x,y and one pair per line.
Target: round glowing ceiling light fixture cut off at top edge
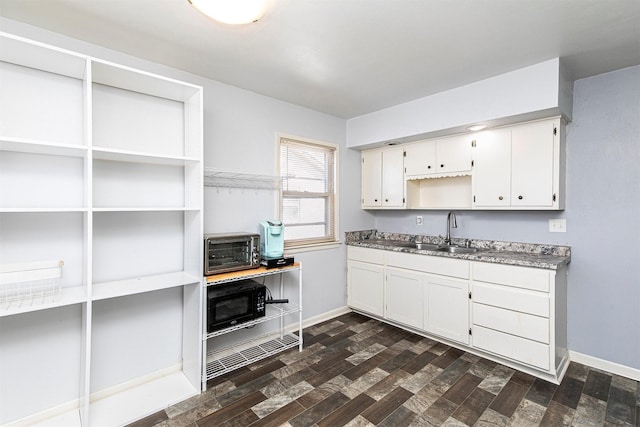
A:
x,y
234,12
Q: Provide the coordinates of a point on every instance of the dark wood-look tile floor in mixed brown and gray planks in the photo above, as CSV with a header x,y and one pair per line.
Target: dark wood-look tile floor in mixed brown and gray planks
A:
x,y
357,371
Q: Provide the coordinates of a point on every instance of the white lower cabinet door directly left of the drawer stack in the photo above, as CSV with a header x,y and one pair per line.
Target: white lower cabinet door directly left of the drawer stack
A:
x,y
446,308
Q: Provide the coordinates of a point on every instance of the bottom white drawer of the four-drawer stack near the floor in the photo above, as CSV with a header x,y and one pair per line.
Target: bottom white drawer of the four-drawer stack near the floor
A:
x,y
516,348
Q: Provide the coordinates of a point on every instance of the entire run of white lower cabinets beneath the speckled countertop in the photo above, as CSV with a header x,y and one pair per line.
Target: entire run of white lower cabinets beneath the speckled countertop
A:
x,y
514,315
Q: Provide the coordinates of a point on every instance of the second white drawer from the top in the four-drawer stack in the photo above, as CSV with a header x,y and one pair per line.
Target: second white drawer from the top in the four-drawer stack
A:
x,y
530,302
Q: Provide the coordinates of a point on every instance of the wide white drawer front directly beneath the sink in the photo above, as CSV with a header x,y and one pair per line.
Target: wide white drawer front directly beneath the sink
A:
x,y
430,264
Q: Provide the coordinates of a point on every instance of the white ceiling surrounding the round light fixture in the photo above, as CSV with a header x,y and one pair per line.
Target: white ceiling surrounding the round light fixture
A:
x,y
350,57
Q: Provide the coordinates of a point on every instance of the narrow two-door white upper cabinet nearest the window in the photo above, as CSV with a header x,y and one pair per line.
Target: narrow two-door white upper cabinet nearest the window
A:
x,y
383,178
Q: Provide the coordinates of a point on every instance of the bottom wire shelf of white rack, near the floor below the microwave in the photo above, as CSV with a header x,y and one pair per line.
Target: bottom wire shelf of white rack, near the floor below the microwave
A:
x,y
217,366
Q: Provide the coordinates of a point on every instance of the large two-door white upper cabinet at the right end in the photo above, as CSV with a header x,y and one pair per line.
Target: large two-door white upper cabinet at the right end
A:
x,y
520,167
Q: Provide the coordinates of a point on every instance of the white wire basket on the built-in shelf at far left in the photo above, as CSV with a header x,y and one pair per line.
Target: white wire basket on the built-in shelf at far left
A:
x,y
28,284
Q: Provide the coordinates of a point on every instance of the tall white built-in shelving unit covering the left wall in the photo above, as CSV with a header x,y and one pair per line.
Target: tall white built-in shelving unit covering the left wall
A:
x,y
101,168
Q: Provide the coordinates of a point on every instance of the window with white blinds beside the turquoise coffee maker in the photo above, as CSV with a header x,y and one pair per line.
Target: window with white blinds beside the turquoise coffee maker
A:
x,y
308,205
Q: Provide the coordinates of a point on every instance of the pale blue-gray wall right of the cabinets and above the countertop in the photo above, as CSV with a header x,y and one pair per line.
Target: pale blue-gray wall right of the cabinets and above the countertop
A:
x,y
603,219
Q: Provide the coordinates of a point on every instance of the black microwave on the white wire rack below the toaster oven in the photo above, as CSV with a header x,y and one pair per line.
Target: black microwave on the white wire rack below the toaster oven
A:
x,y
234,303
